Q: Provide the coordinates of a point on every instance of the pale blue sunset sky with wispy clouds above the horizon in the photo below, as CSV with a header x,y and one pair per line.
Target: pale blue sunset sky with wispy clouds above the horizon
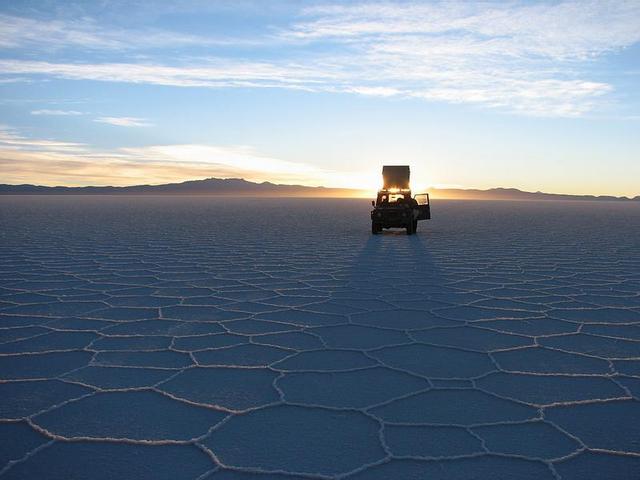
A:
x,y
541,96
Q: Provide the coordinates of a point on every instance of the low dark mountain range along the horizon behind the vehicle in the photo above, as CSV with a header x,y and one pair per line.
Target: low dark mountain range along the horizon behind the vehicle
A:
x,y
241,187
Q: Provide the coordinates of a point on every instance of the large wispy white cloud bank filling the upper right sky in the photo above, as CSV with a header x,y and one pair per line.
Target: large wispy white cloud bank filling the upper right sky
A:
x,y
521,57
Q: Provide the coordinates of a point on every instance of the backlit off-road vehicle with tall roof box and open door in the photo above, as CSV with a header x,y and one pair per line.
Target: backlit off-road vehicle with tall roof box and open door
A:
x,y
395,207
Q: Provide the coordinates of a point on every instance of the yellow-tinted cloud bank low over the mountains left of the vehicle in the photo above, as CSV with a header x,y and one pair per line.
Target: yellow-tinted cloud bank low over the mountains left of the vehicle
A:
x,y
50,162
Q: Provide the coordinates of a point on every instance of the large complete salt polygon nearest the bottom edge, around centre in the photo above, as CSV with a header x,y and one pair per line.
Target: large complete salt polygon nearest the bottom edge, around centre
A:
x,y
269,439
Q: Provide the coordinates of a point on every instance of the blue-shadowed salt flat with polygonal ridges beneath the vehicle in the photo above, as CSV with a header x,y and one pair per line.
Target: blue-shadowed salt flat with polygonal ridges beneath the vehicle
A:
x,y
186,338
